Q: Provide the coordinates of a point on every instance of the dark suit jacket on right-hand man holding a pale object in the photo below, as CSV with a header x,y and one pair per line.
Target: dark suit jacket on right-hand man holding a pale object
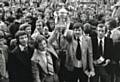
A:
x,y
108,51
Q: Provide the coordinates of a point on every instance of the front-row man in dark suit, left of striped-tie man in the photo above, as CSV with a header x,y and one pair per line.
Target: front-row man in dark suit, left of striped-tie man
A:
x,y
19,61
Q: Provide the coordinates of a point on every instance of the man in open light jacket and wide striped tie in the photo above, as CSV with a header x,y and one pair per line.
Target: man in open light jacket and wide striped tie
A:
x,y
44,61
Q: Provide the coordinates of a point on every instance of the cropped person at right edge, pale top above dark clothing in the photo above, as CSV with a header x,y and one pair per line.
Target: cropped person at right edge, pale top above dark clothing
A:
x,y
115,35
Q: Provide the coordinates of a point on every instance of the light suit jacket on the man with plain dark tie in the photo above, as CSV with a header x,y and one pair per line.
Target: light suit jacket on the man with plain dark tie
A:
x,y
87,54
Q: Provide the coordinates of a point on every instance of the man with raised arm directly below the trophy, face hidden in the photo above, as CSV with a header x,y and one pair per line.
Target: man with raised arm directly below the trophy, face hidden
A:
x,y
58,42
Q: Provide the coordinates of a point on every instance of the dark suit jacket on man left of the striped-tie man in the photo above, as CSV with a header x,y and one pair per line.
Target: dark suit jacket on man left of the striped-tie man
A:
x,y
19,65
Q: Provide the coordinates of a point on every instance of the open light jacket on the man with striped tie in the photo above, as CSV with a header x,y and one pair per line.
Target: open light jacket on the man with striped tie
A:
x,y
39,69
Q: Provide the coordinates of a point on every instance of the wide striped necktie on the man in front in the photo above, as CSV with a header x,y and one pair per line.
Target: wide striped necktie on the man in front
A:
x,y
50,65
